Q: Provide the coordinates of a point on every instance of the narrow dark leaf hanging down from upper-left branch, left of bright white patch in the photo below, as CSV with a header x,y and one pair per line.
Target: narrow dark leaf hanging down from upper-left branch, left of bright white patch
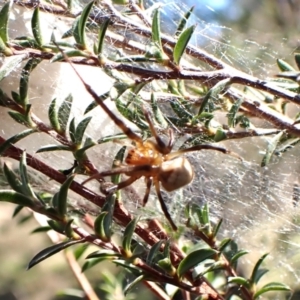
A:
x,y
24,80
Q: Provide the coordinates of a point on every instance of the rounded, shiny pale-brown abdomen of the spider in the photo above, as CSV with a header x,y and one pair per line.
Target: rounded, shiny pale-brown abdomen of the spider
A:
x,y
175,174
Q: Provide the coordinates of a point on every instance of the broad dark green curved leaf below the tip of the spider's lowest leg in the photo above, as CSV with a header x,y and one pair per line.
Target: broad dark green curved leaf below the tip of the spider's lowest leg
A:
x,y
193,259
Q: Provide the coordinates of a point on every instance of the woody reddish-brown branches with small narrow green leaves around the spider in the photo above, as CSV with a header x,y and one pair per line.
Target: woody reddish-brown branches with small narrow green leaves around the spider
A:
x,y
149,251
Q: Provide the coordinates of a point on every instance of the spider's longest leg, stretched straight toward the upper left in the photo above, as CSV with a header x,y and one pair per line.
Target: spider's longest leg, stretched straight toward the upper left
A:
x,y
130,133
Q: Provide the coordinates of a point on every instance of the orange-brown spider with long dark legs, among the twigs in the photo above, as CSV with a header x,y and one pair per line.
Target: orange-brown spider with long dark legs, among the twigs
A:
x,y
152,159
